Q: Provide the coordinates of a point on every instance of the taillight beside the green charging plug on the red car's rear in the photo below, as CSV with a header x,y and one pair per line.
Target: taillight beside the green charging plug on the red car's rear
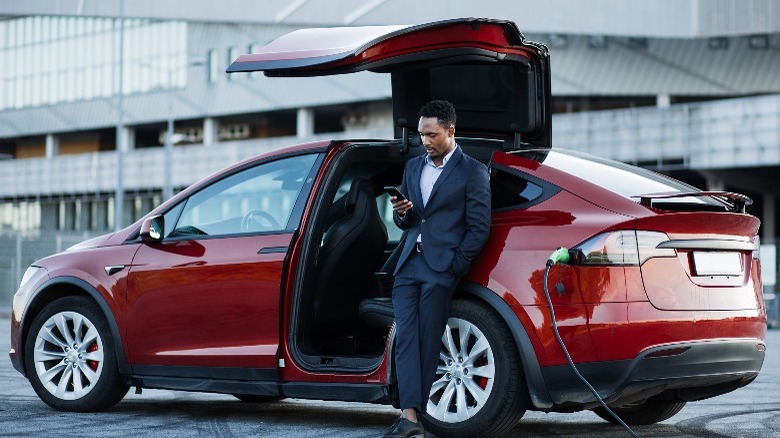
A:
x,y
625,247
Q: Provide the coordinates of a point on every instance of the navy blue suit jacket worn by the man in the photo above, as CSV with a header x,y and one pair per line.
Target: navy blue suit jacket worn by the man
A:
x,y
455,223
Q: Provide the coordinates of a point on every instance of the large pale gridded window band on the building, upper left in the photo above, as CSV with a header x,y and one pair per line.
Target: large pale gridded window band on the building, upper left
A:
x,y
66,59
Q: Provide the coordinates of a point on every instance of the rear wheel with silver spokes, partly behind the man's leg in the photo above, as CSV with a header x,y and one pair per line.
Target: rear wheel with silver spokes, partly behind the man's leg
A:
x,y
507,398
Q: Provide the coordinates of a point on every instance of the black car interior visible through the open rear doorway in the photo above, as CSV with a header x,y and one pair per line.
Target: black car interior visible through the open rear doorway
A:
x,y
343,300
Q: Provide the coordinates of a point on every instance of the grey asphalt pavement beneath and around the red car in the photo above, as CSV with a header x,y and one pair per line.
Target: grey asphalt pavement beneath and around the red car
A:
x,y
750,412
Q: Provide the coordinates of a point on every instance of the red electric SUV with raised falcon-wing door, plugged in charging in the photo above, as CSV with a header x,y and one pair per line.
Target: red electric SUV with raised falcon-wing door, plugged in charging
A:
x,y
270,279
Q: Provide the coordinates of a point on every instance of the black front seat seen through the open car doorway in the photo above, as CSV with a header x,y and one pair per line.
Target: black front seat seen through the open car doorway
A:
x,y
351,250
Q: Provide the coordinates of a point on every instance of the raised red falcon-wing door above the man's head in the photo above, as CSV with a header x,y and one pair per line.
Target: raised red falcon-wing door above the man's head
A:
x,y
498,81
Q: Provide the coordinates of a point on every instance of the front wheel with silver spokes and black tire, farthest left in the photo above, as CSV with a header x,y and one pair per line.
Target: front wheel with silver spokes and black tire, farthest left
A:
x,y
70,358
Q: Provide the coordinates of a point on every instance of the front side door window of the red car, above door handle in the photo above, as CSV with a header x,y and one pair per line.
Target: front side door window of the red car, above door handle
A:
x,y
256,200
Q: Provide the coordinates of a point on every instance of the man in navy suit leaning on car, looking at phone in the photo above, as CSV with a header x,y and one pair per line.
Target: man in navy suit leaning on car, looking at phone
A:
x,y
447,215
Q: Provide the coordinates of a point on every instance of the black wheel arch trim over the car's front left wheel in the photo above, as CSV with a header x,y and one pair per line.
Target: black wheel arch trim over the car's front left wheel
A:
x,y
60,287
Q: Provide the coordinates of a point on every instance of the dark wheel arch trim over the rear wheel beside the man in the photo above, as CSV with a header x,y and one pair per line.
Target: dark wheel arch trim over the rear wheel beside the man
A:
x,y
537,386
